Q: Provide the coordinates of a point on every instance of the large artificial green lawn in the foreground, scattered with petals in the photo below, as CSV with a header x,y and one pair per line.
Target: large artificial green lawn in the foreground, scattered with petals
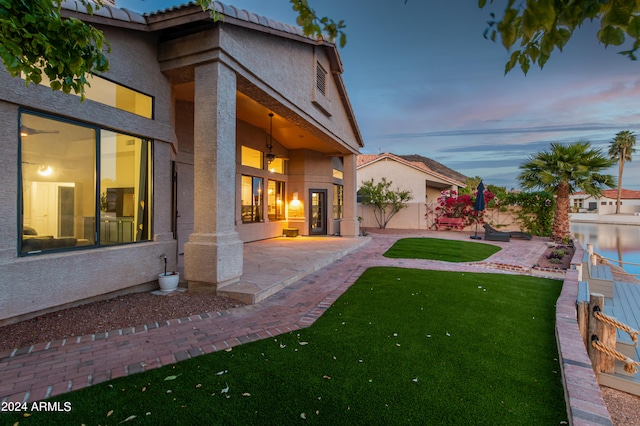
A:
x,y
401,346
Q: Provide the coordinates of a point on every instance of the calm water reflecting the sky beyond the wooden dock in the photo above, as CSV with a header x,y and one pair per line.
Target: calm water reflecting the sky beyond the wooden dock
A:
x,y
614,242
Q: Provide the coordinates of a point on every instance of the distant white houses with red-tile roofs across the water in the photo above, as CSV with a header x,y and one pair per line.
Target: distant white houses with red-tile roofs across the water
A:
x,y
606,203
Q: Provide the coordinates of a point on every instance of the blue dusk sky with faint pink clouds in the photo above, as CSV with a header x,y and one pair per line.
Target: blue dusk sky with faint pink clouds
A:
x,y
422,80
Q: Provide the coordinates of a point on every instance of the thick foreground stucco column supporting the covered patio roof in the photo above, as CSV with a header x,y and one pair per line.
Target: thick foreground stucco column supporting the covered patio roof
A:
x,y
213,255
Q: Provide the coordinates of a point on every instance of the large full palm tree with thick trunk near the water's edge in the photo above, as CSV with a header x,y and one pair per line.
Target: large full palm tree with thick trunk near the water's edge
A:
x,y
563,169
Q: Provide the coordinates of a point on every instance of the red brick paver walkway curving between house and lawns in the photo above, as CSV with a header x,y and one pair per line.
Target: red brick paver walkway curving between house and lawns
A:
x,y
47,369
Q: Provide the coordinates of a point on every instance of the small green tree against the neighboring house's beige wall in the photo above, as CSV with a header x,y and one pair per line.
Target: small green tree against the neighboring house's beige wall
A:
x,y
384,201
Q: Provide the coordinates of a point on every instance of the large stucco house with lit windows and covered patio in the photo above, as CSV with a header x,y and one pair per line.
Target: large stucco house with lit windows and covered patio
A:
x,y
173,153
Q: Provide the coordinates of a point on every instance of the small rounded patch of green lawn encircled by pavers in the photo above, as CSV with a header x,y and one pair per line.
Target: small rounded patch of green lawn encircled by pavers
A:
x,y
438,249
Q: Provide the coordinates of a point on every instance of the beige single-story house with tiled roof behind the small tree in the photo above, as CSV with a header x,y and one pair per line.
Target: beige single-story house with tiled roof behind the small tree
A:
x,y
424,177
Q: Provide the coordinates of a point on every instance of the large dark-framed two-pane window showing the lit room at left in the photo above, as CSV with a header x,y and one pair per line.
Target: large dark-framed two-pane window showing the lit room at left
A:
x,y
63,204
